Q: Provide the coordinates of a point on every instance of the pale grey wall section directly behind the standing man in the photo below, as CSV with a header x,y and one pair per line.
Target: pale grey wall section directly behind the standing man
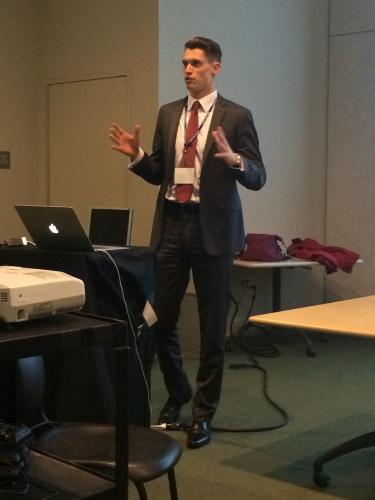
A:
x,y
275,61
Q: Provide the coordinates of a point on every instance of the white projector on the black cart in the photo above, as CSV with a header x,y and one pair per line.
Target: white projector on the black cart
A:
x,y
33,293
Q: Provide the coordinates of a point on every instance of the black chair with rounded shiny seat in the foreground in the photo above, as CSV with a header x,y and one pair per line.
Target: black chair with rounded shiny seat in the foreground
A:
x,y
151,453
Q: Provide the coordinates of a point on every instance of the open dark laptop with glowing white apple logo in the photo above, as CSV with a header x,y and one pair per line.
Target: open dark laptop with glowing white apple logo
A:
x,y
54,228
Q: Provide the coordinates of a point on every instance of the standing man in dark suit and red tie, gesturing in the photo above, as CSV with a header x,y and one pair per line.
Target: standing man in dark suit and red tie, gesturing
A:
x,y
203,145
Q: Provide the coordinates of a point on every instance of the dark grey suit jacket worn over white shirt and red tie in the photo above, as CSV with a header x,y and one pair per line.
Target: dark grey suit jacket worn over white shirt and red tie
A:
x,y
220,205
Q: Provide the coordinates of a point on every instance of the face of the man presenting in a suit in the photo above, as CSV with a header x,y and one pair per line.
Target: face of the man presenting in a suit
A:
x,y
199,72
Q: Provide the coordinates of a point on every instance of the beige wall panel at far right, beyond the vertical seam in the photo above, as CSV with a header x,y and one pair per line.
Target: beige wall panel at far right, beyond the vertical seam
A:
x,y
351,180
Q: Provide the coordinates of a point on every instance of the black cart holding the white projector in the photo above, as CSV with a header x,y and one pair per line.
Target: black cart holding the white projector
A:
x,y
48,477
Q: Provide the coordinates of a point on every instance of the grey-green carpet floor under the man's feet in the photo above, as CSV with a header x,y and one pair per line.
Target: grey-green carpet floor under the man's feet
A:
x,y
329,398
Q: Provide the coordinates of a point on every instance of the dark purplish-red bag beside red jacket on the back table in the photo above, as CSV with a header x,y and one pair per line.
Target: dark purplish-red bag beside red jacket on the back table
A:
x,y
263,247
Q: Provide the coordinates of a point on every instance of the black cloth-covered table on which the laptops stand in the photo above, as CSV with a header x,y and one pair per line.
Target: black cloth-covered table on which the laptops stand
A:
x,y
92,369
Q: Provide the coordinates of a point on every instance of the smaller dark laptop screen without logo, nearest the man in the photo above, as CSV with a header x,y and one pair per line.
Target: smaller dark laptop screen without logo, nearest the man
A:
x,y
111,226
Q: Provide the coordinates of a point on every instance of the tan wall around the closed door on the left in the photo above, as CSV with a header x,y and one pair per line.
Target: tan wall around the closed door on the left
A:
x,y
76,38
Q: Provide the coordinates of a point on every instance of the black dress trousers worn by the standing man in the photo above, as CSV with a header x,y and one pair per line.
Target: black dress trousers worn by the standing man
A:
x,y
181,249
